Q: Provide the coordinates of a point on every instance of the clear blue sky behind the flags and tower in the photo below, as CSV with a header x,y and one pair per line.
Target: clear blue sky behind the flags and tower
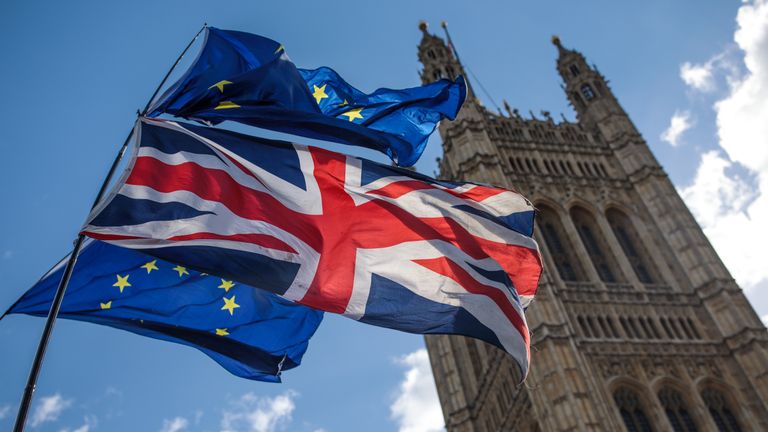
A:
x,y
74,74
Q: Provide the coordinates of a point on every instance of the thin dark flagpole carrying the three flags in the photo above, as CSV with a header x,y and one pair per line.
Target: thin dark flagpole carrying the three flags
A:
x,y
37,363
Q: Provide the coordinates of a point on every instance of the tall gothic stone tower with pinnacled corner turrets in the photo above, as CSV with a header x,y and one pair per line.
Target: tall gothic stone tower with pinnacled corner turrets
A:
x,y
637,325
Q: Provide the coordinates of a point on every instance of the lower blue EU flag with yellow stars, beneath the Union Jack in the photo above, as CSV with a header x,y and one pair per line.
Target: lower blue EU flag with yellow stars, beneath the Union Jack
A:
x,y
250,332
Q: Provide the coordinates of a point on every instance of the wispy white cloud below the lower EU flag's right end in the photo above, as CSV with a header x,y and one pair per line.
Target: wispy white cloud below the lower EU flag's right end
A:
x,y
259,414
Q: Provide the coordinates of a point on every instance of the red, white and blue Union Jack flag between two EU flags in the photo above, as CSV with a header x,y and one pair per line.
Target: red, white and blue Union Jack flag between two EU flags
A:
x,y
378,244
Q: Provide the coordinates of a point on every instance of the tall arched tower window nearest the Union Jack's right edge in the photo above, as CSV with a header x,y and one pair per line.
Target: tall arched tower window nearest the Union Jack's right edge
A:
x,y
559,246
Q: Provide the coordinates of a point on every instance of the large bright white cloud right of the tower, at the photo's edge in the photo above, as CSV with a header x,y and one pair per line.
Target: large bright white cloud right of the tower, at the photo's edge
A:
x,y
732,212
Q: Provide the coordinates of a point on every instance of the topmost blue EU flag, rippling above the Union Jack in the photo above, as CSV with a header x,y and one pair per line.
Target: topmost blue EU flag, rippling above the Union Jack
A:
x,y
249,79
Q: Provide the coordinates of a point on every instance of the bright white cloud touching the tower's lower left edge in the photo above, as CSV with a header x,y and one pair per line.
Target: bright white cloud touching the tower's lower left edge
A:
x,y
417,408
